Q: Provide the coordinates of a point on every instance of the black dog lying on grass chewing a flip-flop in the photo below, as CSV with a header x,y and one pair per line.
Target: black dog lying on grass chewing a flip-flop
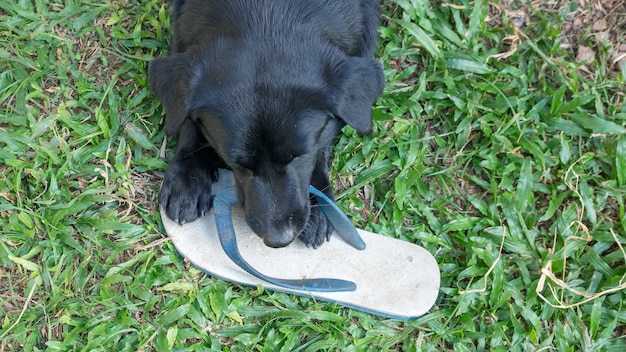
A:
x,y
263,87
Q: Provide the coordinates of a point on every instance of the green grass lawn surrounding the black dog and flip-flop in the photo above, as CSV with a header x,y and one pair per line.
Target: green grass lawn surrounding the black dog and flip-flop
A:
x,y
512,172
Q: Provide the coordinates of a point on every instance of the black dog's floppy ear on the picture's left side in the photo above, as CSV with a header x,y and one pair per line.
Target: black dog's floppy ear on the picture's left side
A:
x,y
169,79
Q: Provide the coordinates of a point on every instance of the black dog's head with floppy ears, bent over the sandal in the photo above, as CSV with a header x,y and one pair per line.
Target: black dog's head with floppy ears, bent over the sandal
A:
x,y
273,128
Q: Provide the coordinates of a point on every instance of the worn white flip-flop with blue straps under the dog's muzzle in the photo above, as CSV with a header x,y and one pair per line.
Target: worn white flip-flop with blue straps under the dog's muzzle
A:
x,y
358,269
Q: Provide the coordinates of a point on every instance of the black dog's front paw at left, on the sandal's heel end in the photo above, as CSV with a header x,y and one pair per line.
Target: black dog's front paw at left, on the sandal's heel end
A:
x,y
186,192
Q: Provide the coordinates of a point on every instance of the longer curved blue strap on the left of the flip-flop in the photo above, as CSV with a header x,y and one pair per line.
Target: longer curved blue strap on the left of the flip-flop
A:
x,y
223,204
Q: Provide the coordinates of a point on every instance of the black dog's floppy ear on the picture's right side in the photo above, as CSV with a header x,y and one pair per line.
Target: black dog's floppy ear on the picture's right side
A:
x,y
355,84
